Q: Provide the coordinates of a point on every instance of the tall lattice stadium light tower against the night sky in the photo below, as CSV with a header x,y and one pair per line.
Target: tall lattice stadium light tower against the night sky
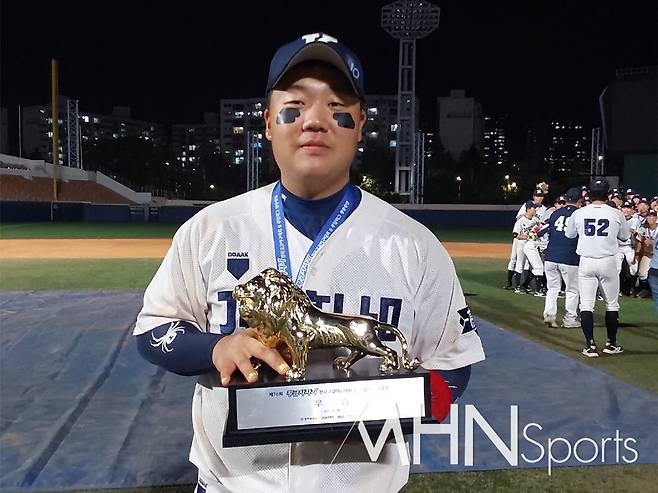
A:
x,y
407,20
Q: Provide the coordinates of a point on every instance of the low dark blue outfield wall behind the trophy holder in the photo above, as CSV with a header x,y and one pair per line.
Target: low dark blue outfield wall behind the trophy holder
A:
x,y
452,215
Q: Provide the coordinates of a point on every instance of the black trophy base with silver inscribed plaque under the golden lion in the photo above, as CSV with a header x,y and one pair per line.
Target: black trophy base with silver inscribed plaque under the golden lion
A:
x,y
327,405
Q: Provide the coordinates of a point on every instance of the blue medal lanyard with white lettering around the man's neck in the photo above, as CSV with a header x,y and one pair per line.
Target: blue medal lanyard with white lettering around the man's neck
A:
x,y
280,236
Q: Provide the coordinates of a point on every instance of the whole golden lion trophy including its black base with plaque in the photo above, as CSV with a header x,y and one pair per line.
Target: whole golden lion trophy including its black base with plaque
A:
x,y
322,396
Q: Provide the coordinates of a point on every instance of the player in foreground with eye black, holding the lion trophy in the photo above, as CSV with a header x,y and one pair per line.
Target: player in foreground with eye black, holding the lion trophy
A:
x,y
348,250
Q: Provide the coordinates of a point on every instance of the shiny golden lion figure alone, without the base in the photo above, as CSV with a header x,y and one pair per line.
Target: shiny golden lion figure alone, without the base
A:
x,y
285,318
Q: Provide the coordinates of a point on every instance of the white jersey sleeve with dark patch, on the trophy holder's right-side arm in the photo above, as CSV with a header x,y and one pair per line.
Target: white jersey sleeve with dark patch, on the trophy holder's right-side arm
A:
x,y
444,335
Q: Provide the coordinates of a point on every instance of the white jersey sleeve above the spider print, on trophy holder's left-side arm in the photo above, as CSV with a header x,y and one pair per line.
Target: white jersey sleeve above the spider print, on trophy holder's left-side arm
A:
x,y
177,290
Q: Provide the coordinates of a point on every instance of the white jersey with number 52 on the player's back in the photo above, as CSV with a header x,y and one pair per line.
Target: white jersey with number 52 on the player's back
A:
x,y
599,228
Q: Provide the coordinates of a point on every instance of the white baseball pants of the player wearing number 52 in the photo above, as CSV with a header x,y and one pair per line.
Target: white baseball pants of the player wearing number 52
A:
x,y
595,272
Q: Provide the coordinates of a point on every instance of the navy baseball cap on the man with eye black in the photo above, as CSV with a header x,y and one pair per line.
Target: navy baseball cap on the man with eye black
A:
x,y
317,46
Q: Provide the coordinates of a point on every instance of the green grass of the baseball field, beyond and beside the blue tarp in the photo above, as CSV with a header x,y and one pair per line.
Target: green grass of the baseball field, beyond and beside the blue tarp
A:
x,y
481,280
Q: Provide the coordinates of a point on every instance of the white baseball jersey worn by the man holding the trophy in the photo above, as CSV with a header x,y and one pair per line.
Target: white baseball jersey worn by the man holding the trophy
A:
x,y
378,262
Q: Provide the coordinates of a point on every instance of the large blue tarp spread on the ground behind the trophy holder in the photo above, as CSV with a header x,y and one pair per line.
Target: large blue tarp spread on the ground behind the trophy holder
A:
x,y
80,409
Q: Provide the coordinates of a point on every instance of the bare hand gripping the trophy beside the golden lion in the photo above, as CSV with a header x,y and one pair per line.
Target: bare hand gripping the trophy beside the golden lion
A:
x,y
234,352
